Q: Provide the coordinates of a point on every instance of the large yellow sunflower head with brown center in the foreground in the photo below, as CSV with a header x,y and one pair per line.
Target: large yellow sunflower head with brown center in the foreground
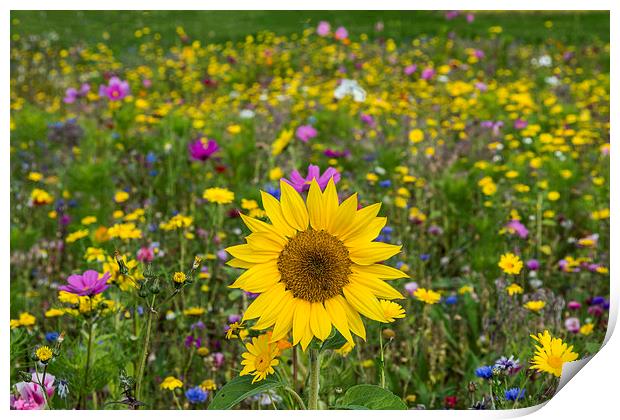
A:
x,y
315,265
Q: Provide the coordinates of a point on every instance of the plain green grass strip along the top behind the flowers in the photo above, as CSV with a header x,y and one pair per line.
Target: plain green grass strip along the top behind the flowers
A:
x,y
119,27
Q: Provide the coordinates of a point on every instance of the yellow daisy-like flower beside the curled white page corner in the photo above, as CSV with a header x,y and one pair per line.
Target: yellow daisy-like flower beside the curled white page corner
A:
x,y
551,354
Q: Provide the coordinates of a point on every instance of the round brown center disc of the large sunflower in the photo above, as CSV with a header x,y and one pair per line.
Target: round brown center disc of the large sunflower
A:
x,y
314,265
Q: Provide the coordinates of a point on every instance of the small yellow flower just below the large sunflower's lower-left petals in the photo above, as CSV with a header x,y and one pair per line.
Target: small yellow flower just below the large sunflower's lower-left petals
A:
x,y
260,358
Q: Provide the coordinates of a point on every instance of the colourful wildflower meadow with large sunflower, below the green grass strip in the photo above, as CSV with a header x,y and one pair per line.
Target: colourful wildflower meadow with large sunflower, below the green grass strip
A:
x,y
325,215
